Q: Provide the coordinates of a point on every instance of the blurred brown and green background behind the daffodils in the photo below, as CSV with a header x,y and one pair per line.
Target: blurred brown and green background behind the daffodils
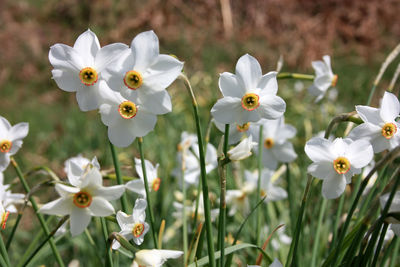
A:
x,y
209,36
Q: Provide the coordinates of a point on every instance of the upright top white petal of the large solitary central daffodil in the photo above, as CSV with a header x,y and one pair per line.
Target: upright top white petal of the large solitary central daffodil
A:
x,y
248,71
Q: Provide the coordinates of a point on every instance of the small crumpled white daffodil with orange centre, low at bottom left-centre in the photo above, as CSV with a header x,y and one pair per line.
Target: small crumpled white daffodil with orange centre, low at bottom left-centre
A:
x,y
133,226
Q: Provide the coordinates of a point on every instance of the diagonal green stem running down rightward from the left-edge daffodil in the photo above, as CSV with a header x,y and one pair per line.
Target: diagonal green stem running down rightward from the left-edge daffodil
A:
x,y
39,216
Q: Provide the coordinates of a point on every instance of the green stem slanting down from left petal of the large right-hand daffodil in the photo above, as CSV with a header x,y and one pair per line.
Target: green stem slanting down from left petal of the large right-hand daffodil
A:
x,y
291,259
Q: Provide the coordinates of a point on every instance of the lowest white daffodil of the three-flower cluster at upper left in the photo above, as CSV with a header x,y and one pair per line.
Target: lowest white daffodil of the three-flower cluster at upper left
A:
x,y
126,119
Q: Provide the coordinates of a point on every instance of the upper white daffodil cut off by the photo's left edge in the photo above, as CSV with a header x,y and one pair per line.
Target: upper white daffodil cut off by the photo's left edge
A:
x,y
10,140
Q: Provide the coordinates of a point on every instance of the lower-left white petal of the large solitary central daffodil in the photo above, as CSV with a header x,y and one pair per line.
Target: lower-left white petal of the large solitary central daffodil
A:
x,y
227,110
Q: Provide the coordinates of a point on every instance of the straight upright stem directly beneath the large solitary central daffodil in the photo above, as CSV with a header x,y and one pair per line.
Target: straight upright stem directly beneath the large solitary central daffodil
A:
x,y
222,200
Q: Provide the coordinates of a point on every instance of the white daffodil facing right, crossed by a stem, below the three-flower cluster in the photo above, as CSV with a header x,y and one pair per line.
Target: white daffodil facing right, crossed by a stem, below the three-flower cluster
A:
x,y
153,179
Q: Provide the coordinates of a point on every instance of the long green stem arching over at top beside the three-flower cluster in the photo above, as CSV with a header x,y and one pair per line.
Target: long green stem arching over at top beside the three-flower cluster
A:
x,y
206,201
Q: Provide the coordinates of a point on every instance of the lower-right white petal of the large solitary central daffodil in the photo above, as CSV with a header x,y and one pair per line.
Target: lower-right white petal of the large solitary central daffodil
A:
x,y
271,107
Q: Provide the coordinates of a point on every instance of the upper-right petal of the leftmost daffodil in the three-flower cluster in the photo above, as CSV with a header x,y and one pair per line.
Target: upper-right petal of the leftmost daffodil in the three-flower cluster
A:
x,y
108,54
